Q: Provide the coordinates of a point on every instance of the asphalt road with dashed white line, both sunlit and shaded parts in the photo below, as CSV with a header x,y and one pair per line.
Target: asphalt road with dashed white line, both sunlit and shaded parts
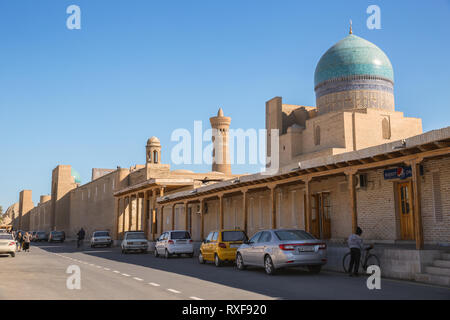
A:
x,y
108,274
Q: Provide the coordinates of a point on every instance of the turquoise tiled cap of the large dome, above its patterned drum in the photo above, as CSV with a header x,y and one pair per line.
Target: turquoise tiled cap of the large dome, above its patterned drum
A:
x,y
353,56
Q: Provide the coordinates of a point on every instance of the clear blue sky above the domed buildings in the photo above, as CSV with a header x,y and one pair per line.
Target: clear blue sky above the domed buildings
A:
x,y
92,97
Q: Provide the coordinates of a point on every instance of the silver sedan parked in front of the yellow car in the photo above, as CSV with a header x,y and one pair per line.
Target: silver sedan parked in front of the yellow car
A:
x,y
280,248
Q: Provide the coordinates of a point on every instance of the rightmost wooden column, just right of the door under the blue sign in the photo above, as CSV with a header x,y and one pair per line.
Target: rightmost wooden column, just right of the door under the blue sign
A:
x,y
416,180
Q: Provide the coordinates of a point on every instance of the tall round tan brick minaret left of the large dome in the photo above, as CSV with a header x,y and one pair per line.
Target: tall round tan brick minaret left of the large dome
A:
x,y
221,154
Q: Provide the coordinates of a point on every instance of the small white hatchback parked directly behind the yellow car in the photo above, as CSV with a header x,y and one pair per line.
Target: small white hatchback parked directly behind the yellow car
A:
x,y
174,242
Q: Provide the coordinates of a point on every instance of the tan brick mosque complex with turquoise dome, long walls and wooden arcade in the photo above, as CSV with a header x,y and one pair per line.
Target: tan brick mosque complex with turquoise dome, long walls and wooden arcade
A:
x,y
352,160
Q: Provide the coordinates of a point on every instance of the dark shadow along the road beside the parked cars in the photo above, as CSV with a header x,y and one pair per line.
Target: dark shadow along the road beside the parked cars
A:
x,y
293,283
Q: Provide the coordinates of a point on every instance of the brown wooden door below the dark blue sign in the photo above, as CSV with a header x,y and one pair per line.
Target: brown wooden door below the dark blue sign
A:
x,y
406,211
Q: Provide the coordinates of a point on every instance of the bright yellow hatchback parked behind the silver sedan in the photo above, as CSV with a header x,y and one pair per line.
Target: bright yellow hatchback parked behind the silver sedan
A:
x,y
221,246
